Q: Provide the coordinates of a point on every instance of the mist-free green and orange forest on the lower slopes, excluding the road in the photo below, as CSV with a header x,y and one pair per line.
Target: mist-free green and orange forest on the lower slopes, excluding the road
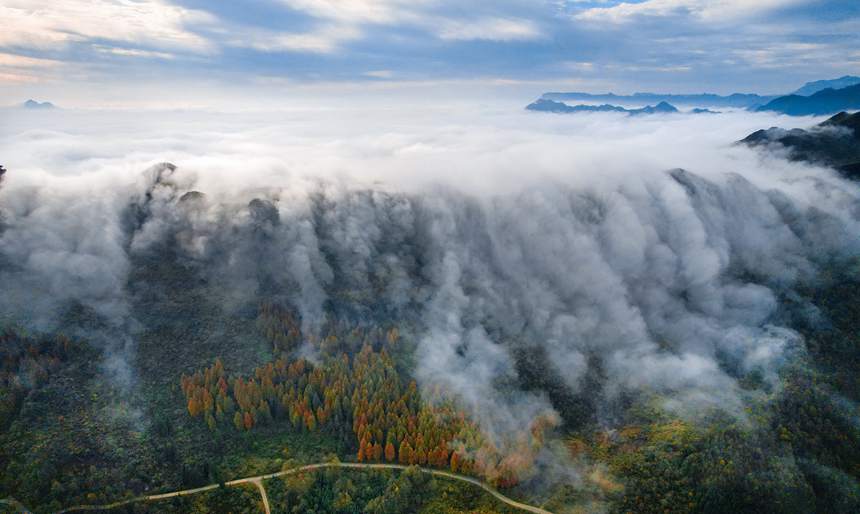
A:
x,y
226,394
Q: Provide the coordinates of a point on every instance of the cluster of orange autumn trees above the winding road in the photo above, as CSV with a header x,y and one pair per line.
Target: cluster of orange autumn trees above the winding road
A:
x,y
360,398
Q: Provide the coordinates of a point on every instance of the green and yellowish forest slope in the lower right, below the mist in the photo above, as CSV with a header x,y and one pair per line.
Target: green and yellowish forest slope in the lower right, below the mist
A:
x,y
795,449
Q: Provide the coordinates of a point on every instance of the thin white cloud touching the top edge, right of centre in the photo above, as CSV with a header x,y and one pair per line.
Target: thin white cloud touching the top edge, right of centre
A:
x,y
707,10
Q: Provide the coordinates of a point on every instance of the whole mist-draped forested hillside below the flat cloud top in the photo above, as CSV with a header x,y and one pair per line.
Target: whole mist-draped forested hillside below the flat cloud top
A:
x,y
248,338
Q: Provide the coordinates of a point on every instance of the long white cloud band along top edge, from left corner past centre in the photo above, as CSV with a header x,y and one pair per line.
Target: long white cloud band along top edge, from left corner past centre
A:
x,y
158,28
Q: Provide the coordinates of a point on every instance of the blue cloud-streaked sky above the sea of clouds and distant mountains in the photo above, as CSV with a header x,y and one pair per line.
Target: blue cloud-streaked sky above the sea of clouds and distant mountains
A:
x,y
186,52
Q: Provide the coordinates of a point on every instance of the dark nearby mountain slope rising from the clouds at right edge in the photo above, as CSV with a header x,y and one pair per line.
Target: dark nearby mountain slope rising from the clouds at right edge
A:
x,y
835,142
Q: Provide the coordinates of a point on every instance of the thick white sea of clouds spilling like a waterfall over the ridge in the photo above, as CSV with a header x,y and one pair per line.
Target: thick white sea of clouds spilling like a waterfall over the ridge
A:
x,y
653,247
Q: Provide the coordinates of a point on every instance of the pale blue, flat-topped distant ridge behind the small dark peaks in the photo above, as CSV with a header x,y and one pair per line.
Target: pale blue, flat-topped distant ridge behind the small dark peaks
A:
x,y
739,100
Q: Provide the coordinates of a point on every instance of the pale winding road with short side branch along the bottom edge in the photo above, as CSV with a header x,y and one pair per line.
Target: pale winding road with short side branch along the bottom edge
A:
x,y
258,482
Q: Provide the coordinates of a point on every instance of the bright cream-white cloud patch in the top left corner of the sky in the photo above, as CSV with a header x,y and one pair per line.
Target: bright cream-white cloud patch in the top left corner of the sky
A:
x,y
47,24
